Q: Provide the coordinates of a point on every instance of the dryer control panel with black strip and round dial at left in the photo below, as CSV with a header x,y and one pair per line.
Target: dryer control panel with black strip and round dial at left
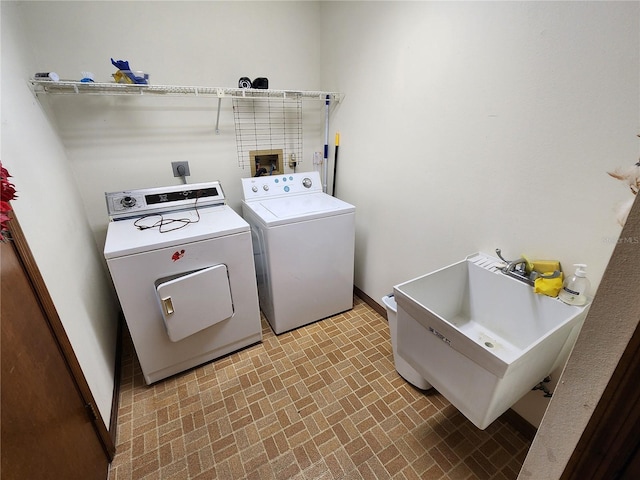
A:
x,y
131,203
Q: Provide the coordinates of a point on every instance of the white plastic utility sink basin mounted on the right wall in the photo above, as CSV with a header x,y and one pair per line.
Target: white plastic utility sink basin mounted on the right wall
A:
x,y
481,338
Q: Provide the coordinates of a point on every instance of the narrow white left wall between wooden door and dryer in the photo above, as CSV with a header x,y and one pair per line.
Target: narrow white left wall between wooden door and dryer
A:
x,y
49,208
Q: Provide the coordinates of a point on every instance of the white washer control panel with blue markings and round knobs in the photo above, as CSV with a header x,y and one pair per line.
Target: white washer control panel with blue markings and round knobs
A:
x,y
271,186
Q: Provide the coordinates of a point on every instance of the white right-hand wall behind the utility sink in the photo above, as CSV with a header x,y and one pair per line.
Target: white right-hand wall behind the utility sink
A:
x,y
468,126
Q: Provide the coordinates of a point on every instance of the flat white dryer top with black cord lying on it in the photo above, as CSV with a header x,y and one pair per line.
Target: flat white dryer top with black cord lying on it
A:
x,y
125,238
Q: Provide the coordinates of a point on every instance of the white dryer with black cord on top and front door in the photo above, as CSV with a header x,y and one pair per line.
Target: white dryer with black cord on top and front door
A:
x,y
182,265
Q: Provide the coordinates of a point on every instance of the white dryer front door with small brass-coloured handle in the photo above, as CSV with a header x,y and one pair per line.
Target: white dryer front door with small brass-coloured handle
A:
x,y
195,301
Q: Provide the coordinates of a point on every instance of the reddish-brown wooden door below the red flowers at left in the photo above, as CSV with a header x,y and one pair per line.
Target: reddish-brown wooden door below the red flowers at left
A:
x,y
47,429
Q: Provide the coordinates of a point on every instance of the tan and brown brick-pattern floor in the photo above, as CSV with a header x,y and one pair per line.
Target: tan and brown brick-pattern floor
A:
x,y
321,402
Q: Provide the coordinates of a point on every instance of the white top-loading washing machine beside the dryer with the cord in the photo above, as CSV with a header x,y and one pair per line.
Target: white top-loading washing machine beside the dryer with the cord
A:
x,y
303,246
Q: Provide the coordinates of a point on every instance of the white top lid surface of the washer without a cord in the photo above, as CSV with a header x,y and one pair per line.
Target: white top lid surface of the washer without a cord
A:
x,y
284,210
